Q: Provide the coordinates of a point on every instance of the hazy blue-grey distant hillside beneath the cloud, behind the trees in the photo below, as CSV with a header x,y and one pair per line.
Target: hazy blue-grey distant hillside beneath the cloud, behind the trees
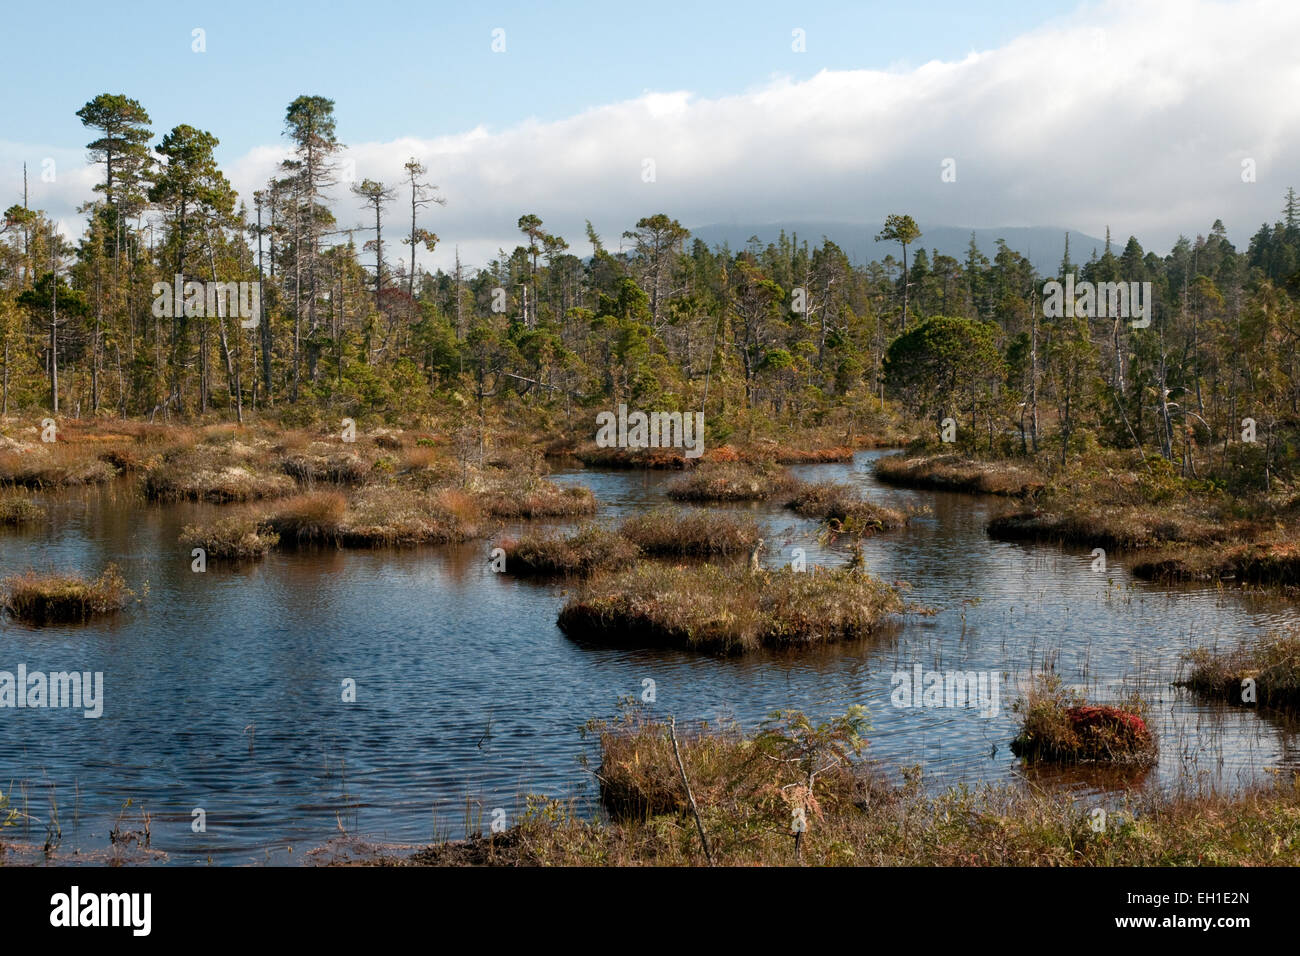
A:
x,y
1041,245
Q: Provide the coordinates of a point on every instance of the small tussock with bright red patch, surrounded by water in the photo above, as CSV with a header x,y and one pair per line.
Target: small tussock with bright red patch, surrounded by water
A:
x,y
1060,728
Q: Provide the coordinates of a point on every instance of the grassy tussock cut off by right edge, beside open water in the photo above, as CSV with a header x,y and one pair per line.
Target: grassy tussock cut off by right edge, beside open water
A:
x,y
1264,673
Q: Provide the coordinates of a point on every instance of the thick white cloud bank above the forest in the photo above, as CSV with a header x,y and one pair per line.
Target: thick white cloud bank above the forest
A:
x,y
1136,116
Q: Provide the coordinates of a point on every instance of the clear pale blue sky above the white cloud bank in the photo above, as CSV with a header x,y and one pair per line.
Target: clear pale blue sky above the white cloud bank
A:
x,y
432,72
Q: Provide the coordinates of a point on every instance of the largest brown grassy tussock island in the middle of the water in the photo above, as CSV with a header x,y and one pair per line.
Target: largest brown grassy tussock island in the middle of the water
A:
x,y
727,611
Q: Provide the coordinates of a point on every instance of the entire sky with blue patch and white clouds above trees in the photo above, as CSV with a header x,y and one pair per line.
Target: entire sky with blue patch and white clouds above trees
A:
x,y
1152,118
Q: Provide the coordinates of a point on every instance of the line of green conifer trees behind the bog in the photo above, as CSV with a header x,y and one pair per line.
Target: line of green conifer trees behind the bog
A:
x,y
790,332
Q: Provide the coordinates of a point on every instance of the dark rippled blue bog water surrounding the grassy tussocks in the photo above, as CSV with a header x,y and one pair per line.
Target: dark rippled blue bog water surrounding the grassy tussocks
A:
x,y
224,690
